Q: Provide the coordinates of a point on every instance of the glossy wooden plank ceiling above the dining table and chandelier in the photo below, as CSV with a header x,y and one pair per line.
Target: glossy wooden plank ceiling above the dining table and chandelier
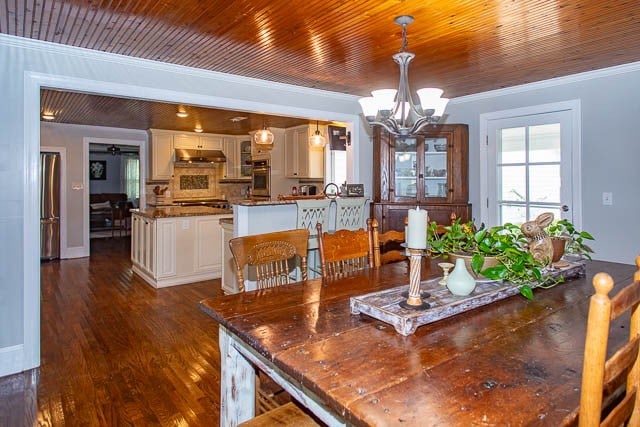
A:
x,y
463,46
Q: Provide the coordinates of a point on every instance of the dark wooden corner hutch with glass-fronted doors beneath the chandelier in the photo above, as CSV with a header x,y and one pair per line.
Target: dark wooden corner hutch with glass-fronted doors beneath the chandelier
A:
x,y
429,169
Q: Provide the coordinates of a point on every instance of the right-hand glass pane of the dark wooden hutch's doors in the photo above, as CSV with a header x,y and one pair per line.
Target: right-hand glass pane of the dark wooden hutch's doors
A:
x,y
435,167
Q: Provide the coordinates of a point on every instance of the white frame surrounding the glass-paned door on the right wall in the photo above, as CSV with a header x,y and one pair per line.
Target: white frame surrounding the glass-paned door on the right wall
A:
x,y
573,106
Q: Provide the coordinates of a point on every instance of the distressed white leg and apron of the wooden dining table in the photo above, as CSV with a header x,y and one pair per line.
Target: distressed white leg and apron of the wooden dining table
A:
x,y
237,383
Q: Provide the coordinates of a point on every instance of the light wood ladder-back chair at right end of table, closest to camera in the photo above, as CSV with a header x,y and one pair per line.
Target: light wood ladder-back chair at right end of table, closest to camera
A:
x,y
609,395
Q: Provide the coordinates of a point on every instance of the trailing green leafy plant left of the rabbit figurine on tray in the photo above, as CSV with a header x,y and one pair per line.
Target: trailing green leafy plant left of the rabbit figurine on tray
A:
x,y
505,243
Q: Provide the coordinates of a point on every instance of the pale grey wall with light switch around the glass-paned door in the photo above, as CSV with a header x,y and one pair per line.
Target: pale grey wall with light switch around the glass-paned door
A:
x,y
610,148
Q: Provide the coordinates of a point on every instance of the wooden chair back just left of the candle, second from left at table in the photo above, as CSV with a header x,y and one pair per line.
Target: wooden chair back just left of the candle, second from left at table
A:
x,y
344,251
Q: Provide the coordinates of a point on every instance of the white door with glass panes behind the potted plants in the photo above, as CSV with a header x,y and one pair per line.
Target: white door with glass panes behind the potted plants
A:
x,y
530,167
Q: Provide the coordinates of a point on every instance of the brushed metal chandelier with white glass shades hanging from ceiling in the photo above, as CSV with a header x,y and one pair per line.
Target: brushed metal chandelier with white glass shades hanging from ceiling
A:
x,y
395,110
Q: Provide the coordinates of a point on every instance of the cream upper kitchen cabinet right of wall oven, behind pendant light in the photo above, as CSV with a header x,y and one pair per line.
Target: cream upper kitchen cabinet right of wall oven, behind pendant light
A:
x,y
302,161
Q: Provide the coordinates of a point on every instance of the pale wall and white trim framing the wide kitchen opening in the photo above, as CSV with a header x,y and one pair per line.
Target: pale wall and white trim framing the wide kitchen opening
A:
x,y
28,65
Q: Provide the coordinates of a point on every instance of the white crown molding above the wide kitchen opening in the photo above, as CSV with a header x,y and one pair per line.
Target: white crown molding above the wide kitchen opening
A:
x,y
123,60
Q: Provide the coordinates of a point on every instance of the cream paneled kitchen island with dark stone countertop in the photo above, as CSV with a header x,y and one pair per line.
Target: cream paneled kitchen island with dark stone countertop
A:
x,y
177,245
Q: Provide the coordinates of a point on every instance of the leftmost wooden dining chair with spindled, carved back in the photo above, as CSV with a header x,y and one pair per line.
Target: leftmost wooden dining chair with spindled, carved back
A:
x,y
270,254
